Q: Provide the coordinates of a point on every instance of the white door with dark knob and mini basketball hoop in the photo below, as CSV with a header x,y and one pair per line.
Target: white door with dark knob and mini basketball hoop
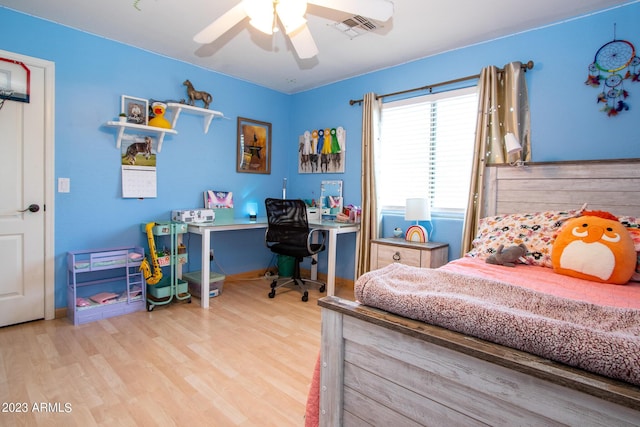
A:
x,y
24,133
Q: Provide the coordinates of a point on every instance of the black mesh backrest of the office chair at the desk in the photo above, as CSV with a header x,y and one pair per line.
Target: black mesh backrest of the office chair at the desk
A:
x,y
287,220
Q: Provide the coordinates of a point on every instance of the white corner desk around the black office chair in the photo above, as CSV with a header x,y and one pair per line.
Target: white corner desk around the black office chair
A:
x,y
332,227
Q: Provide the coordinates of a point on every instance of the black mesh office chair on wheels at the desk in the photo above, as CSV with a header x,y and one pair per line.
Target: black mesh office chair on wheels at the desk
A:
x,y
288,234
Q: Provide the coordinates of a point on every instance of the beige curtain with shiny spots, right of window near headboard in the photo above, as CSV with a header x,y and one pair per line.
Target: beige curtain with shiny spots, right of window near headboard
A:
x,y
503,107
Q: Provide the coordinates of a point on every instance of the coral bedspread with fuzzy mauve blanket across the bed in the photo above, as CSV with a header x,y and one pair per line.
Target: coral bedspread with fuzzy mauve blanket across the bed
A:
x,y
592,326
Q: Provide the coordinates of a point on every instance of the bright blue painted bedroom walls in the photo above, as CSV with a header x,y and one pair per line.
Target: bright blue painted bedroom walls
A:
x,y
92,73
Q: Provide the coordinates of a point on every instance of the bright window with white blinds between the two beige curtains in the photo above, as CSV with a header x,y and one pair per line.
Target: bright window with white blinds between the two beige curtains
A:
x,y
426,150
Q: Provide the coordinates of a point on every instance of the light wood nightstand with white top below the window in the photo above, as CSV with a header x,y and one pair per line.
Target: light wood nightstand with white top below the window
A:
x,y
426,255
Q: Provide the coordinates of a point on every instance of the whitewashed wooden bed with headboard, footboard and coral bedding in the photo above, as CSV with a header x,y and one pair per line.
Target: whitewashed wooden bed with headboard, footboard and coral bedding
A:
x,y
379,367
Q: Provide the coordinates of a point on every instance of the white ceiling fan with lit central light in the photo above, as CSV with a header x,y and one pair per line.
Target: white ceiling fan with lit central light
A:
x,y
265,14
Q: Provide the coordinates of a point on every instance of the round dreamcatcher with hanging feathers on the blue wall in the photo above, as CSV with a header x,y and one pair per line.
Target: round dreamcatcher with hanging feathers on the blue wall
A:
x,y
608,71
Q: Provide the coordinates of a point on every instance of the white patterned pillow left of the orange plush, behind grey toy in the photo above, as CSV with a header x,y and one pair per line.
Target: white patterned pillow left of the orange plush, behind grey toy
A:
x,y
536,230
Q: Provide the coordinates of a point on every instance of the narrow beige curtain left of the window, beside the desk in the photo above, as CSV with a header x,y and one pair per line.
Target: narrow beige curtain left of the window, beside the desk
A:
x,y
370,224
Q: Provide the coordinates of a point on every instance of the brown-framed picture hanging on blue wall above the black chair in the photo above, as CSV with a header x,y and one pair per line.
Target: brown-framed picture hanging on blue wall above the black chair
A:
x,y
254,146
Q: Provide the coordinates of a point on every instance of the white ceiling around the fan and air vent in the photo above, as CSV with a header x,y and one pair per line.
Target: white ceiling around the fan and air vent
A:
x,y
418,28
